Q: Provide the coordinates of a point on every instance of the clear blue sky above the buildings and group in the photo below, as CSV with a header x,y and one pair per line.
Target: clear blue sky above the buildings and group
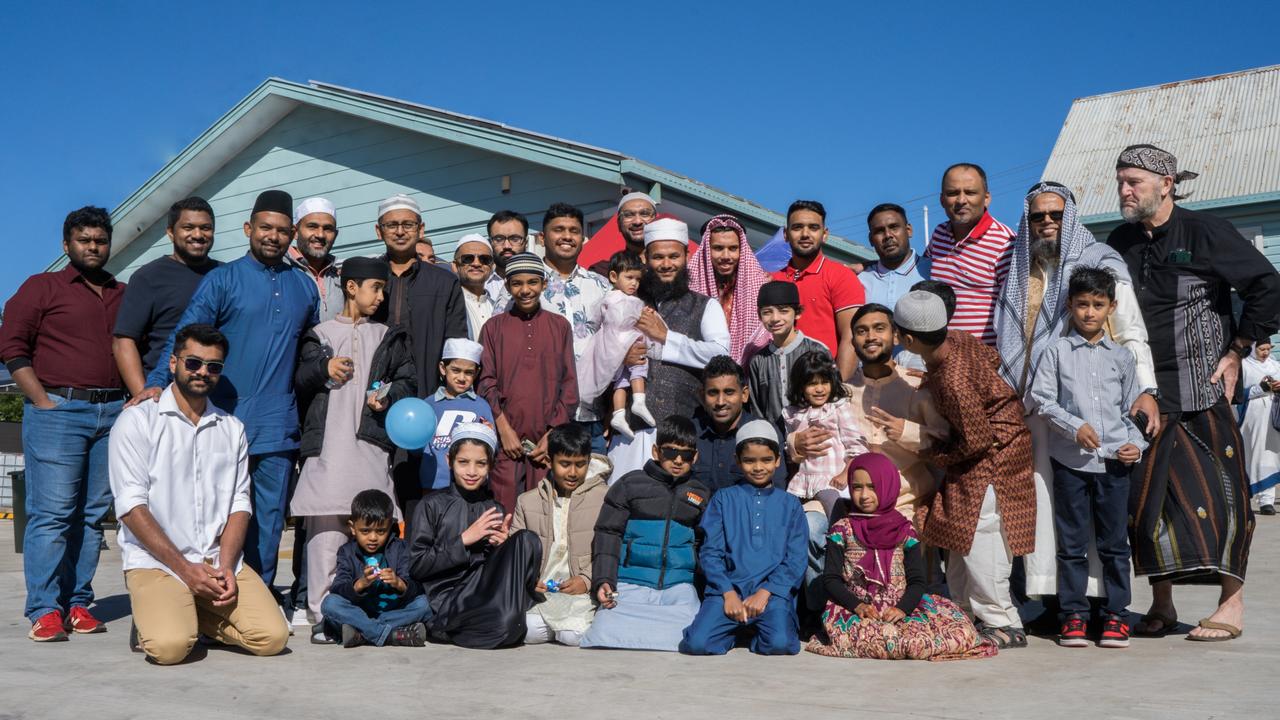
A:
x,y
848,103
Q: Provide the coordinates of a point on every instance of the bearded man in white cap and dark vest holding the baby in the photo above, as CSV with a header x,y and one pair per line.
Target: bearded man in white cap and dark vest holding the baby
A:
x,y
685,331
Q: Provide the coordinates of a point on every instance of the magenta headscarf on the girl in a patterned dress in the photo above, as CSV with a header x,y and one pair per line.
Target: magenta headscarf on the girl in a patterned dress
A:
x,y
884,531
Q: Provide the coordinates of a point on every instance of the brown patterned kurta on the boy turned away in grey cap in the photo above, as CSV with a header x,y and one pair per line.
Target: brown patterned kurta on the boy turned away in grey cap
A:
x,y
990,445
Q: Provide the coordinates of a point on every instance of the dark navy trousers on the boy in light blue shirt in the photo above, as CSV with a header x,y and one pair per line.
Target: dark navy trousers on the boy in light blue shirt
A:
x,y
1092,504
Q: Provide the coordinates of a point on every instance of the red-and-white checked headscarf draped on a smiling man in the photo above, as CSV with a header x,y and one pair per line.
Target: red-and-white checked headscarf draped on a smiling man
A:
x,y
746,332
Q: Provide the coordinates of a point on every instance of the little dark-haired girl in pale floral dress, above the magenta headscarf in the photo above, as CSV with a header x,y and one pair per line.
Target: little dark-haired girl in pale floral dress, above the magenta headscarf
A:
x,y
820,399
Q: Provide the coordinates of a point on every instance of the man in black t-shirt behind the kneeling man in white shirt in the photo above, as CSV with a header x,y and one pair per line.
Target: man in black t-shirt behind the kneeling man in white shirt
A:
x,y
161,290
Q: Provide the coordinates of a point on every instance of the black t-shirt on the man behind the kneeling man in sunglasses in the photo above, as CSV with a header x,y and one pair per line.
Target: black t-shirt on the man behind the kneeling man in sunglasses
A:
x,y
154,302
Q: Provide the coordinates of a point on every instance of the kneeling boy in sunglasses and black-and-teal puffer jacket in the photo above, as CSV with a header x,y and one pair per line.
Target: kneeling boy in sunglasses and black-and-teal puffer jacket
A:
x,y
646,548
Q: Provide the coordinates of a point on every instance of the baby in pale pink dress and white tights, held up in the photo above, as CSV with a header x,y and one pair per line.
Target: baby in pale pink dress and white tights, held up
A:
x,y
602,358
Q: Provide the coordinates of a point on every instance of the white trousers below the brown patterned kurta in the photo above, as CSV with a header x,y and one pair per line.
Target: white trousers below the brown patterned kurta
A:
x,y
980,581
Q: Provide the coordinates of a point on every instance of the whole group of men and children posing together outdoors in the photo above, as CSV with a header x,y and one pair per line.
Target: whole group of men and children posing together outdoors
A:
x,y
673,450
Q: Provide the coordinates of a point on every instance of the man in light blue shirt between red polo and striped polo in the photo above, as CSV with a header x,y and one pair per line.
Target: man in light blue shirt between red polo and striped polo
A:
x,y
899,267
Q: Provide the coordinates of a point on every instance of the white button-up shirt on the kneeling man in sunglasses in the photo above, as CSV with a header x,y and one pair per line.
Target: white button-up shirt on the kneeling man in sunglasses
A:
x,y
191,477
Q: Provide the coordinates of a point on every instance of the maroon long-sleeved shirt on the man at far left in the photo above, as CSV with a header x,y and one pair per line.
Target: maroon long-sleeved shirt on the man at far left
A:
x,y
60,327
